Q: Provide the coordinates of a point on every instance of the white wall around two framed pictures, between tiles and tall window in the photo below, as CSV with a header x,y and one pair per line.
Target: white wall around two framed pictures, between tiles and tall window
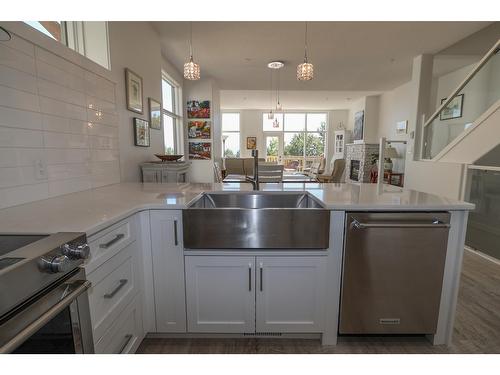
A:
x,y
136,45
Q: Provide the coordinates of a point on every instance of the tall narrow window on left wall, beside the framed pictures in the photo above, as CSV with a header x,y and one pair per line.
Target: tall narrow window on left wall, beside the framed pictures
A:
x,y
172,119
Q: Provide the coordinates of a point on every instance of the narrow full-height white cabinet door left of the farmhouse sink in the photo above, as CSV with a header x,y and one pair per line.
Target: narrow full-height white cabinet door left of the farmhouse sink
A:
x,y
168,270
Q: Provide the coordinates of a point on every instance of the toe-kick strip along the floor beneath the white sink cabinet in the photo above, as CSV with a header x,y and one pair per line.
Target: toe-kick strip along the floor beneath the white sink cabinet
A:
x,y
264,335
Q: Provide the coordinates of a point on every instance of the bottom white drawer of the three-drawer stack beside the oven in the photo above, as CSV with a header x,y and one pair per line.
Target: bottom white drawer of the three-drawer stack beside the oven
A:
x,y
125,334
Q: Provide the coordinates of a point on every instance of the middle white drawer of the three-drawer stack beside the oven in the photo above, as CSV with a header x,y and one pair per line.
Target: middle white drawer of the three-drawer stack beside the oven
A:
x,y
114,284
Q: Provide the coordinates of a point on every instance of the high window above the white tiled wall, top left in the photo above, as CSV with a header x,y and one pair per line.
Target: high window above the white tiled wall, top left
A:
x,y
89,38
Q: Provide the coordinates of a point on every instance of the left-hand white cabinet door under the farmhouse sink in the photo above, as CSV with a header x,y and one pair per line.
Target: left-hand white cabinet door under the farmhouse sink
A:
x,y
220,292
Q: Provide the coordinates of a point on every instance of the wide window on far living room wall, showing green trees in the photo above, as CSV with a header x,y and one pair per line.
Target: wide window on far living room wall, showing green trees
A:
x,y
304,137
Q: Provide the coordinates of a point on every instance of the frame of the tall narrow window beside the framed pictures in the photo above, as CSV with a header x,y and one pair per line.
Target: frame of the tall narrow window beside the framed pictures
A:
x,y
176,115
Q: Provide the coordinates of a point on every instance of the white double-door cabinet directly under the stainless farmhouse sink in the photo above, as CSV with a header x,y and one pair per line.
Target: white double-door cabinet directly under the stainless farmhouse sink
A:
x,y
241,294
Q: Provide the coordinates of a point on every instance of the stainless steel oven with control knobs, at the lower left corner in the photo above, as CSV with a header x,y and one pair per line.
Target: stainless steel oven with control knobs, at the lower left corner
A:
x,y
44,307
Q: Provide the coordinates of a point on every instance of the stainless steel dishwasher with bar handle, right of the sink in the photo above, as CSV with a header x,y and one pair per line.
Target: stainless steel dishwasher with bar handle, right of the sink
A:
x,y
393,272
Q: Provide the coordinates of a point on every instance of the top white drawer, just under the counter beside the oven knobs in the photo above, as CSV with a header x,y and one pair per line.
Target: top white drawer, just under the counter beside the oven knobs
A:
x,y
109,242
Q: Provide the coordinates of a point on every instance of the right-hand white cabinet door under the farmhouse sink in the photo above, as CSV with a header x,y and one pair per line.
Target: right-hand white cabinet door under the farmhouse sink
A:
x,y
291,294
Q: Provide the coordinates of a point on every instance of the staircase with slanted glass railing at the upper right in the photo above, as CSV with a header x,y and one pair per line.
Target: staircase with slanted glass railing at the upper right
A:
x,y
467,125
